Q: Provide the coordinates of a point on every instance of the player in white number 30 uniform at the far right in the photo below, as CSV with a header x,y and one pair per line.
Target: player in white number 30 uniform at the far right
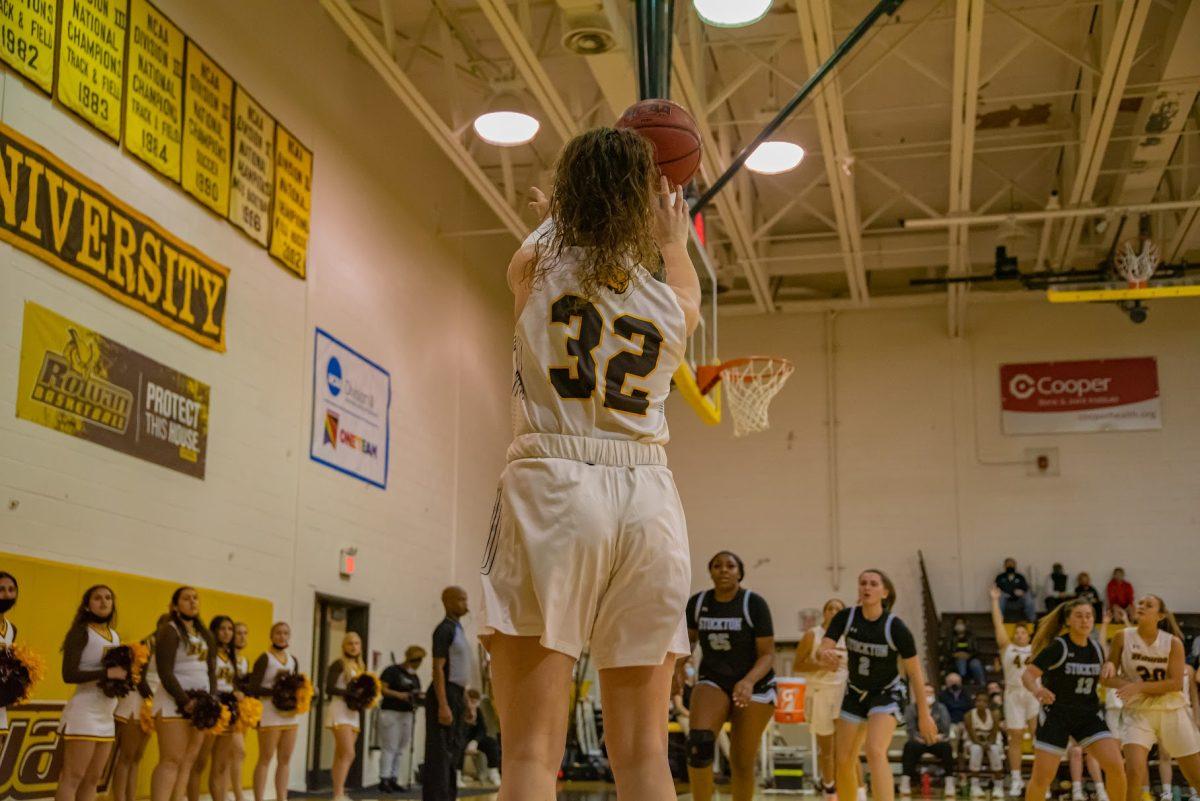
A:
x,y
1145,667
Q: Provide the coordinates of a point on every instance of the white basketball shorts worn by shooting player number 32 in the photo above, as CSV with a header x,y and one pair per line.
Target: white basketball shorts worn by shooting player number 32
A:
x,y
589,550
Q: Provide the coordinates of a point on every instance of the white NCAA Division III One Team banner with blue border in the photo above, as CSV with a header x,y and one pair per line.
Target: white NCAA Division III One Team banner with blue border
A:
x,y
351,401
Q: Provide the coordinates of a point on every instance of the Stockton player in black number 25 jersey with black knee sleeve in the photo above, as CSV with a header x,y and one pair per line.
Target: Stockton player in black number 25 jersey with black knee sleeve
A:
x,y
736,680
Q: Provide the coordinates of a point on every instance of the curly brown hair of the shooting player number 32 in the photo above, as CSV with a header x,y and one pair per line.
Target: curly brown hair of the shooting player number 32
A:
x,y
603,202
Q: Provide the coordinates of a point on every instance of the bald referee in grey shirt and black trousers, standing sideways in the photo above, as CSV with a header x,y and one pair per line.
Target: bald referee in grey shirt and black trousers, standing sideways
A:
x,y
446,702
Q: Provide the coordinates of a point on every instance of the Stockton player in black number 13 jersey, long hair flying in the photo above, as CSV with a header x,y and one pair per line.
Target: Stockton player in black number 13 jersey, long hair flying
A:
x,y
1065,677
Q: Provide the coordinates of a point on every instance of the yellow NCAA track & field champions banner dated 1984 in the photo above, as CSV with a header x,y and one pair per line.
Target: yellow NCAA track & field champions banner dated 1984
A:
x,y
154,92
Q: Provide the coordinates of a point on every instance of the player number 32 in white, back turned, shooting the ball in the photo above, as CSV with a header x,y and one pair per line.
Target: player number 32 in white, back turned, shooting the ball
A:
x,y
590,544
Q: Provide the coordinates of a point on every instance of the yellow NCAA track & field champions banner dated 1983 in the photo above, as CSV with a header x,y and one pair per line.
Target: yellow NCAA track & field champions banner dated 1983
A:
x,y
92,62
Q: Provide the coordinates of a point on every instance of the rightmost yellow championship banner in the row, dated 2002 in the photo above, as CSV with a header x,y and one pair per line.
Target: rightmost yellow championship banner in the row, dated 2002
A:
x,y
293,202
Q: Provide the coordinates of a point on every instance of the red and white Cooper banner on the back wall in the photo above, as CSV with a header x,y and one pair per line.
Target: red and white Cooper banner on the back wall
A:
x,y
1087,396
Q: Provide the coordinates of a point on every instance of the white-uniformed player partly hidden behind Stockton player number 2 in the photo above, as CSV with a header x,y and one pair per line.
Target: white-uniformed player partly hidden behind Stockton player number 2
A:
x,y
824,692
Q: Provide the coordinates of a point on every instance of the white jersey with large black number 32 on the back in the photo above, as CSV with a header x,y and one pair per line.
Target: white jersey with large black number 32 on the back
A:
x,y
598,366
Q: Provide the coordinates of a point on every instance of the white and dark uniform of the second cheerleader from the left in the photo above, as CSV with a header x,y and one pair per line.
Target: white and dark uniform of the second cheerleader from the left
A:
x,y
89,713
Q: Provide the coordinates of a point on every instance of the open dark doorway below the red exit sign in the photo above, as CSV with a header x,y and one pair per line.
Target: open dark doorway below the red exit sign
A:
x,y
333,619
